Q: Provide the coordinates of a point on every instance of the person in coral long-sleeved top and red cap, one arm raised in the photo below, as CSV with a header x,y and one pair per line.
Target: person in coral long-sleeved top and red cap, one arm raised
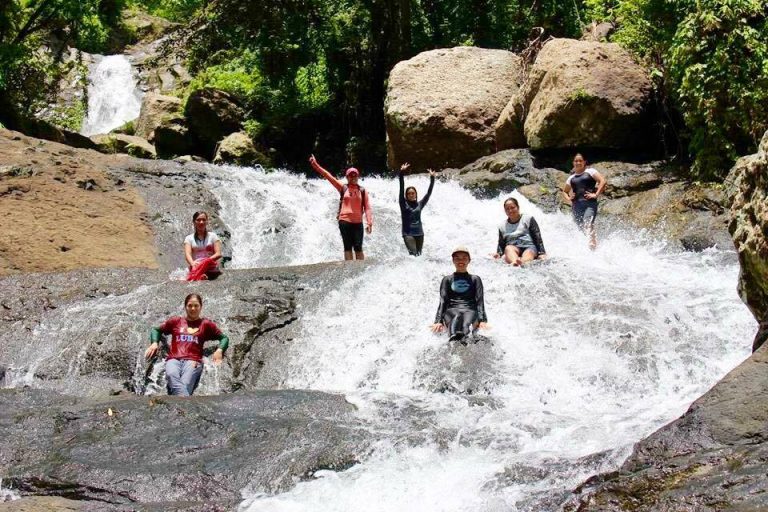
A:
x,y
353,201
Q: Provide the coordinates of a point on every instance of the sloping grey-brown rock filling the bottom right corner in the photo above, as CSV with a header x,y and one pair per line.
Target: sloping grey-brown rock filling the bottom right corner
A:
x,y
710,459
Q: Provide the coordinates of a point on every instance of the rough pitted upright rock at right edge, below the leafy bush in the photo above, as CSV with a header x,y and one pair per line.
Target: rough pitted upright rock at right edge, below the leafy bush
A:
x,y
749,227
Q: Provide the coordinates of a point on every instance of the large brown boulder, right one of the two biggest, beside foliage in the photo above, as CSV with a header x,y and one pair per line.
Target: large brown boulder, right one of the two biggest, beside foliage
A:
x,y
580,94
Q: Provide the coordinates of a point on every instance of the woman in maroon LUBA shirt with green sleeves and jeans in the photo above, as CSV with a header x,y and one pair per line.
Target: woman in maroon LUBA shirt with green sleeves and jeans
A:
x,y
184,364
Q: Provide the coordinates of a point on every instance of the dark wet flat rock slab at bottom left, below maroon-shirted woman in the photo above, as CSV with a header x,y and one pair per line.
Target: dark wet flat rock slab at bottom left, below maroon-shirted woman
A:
x,y
202,450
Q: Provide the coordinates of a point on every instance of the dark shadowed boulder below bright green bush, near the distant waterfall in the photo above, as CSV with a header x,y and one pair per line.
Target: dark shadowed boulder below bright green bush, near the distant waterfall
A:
x,y
212,115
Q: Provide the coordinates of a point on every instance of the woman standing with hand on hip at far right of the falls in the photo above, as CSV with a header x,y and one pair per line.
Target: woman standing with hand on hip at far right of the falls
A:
x,y
582,189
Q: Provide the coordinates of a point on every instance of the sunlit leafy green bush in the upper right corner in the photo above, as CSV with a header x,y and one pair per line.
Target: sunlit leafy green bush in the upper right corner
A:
x,y
709,60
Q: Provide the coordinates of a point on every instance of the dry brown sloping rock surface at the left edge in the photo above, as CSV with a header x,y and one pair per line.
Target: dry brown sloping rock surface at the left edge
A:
x,y
51,185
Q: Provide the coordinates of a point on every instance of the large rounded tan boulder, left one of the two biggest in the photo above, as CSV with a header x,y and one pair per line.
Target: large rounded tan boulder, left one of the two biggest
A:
x,y
441,105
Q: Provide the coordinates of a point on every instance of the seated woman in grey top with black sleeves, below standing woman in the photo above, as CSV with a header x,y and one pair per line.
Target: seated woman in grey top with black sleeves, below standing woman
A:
x,y
519,236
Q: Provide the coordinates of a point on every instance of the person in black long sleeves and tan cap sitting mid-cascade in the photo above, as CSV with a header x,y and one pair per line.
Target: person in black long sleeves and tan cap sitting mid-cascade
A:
x,y
462,307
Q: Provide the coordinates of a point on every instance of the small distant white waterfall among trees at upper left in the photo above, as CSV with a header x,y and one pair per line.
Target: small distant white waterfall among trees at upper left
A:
x,y
113,98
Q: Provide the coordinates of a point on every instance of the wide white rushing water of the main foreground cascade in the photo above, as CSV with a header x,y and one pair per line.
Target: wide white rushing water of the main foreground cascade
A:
x,y
587,354
